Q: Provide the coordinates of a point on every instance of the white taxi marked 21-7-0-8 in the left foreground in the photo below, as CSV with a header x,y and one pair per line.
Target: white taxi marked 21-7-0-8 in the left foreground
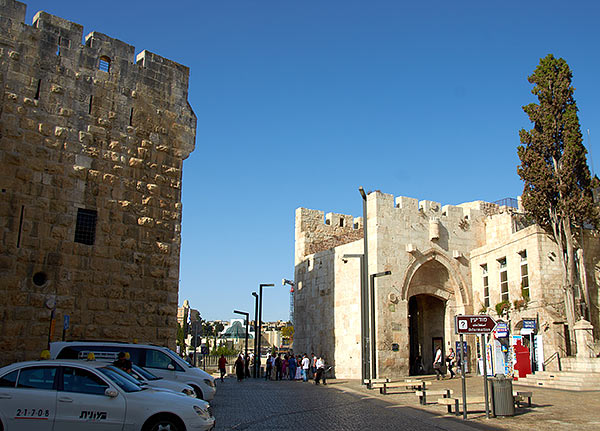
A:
x,y
74,395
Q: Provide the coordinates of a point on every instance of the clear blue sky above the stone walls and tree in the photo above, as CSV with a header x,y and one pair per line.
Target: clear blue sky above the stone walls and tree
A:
x,y
300,102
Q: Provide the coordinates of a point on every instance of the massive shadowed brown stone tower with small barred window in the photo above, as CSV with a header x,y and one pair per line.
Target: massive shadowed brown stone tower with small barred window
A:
x,y
92,142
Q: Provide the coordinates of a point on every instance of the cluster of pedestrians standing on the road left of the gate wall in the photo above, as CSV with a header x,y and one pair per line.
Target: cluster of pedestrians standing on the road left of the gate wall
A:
x,y
296,367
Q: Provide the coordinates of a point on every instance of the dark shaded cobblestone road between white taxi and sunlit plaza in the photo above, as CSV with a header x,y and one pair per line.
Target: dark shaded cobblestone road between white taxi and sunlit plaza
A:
x,y
284,405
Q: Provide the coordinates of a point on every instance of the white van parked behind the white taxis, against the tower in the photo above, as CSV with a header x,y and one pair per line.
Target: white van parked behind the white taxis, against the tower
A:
x,y
159,360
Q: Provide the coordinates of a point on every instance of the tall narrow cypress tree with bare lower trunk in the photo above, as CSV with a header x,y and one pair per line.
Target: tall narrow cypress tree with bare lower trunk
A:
x,y
557,190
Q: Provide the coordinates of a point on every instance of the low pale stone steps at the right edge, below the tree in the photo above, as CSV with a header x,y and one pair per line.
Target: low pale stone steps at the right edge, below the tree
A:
x,y
566,380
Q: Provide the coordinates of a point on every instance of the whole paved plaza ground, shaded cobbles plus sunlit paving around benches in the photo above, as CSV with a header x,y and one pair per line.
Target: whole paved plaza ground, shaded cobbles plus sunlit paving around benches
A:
x,y
346,405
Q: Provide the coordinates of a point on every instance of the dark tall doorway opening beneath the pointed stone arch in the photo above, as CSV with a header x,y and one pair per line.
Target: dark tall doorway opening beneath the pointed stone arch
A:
x,y
426,329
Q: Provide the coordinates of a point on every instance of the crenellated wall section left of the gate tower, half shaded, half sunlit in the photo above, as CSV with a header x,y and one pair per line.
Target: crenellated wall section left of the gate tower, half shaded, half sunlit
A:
x,y
324,312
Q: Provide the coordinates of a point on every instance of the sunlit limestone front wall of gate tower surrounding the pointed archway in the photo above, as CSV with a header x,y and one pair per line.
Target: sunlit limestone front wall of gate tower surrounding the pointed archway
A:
x,y
404,235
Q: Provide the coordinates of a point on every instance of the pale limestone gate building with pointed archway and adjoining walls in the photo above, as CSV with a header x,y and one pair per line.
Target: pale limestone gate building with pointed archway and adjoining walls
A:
x,y
444,261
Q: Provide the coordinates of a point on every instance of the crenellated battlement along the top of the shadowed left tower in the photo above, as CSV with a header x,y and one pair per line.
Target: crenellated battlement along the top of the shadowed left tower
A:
x,y
58,40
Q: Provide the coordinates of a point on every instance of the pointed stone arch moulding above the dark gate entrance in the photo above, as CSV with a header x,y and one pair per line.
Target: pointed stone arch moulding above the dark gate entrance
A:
x,y
454,277
